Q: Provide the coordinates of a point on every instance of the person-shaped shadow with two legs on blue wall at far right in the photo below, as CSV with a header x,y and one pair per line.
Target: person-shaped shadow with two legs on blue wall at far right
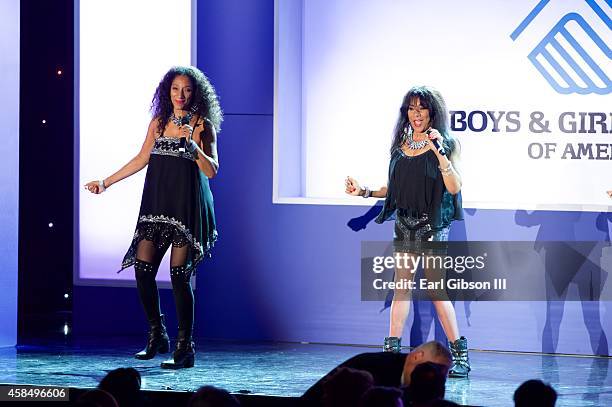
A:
x,y
565,266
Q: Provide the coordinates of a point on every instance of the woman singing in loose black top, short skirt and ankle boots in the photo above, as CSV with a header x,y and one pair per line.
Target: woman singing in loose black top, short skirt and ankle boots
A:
x,y
423,191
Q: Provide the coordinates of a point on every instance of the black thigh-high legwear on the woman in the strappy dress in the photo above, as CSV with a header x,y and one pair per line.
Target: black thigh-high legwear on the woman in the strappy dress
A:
x,y
148,258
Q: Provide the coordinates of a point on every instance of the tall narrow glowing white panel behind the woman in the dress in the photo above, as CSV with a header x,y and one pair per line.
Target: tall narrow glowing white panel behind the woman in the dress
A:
x,y
124,49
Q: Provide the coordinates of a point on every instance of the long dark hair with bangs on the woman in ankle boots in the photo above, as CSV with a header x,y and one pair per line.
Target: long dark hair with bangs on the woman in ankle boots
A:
x,y
432,100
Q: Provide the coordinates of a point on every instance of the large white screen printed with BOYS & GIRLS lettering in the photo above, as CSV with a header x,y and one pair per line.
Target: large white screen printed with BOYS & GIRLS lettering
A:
x,y
359,58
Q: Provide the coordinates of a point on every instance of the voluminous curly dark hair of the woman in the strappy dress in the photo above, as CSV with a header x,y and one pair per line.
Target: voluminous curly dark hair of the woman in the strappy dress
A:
x,y
204,97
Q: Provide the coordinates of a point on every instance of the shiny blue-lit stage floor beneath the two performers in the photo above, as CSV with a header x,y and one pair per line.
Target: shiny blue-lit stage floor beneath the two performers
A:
x,y
288,369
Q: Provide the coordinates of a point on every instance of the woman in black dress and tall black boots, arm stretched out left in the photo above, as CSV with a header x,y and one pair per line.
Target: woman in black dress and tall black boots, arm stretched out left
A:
x,y
177,205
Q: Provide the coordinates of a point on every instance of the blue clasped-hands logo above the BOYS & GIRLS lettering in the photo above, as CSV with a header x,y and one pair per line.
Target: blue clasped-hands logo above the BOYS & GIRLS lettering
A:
x,y
571,61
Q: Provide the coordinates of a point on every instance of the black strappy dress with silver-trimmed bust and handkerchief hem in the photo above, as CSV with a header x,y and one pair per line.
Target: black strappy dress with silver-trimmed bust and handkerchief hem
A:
x,y
177,205
